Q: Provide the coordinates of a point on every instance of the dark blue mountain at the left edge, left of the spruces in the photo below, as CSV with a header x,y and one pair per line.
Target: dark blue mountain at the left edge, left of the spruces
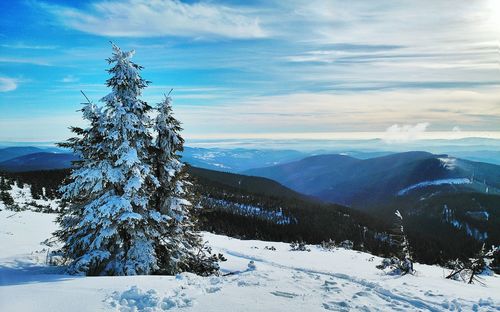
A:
x,y
38,161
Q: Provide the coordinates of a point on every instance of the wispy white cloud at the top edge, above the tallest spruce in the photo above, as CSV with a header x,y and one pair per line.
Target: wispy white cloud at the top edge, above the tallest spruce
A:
x,y
141,18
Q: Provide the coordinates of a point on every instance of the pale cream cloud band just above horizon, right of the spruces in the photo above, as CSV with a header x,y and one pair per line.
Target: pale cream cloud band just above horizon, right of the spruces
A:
x,y
363,112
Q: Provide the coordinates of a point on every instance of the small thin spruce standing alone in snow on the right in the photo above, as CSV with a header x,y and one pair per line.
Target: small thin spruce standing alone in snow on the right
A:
x,y
401,263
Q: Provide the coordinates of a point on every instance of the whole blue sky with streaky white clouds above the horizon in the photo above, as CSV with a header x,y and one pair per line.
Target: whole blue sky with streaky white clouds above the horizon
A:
x,y
272,69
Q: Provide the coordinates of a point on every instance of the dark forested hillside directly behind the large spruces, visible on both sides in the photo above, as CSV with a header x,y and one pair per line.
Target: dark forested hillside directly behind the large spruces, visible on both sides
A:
x,y
251,208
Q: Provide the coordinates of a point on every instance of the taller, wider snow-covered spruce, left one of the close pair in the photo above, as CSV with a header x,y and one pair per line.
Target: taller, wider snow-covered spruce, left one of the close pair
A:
x,y
108,228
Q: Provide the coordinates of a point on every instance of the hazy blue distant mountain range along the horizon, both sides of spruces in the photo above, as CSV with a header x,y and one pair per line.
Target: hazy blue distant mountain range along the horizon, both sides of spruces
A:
x,y
238,160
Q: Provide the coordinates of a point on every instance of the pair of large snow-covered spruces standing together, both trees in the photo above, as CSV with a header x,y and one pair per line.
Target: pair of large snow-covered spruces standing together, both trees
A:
x,y
128,211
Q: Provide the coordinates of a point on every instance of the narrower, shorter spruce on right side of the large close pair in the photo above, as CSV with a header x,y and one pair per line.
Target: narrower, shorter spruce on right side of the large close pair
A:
x,y
182,249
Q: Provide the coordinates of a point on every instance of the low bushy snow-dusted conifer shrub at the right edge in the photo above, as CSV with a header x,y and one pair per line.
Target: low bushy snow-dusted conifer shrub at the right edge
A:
x,y
469,270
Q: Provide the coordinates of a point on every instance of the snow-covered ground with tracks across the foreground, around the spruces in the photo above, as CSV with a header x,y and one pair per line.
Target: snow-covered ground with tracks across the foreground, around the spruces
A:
x,y
281,280
